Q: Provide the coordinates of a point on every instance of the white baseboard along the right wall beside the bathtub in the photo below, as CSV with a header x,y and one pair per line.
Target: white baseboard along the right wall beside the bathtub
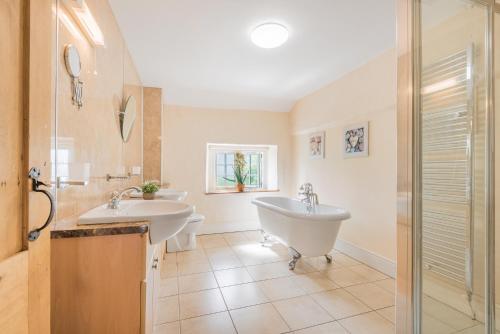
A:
x,y
371,259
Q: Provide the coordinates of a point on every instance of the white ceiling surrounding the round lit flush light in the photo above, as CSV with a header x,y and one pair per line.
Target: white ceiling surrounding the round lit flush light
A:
x,y
200,53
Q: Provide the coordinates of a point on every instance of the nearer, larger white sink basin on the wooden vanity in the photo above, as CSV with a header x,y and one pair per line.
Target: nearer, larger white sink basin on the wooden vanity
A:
x,y
166,218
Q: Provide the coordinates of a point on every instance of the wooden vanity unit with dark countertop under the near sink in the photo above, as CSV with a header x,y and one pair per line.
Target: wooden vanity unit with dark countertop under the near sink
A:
x,y
103,279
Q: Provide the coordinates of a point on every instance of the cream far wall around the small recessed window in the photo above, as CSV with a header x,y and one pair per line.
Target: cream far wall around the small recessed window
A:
x,y
186,134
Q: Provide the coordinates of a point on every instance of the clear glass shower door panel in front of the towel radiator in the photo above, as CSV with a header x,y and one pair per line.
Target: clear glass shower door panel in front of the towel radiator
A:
x,y
452,166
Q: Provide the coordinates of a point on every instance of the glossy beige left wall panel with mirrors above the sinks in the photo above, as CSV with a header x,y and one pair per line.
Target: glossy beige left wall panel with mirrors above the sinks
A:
x,y
92,134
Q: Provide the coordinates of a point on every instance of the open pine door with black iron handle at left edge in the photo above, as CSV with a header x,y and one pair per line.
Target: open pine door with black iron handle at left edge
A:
x,y
25,135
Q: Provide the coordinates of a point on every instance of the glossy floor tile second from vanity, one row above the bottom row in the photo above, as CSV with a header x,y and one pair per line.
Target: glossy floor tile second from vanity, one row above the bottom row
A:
x,y
200,303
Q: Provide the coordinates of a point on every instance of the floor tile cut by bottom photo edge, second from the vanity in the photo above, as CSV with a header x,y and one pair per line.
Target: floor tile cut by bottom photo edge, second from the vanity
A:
x,y
217,323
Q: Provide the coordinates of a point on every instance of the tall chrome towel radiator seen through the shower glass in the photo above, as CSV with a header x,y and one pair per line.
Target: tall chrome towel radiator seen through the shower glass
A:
x,y
447,119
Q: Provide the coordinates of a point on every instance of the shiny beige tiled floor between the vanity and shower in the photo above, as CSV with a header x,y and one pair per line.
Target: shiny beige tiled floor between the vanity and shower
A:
x,y
232,284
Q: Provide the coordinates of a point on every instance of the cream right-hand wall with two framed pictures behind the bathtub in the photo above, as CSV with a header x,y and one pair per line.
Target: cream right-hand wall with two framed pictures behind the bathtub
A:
x,y
365,186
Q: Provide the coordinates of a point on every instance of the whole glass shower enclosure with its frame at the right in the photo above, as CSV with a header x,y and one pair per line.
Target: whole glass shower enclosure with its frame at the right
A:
x,y
447,55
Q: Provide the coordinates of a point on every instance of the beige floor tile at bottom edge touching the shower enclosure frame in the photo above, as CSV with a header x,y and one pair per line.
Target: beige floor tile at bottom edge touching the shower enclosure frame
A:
x,y
368,323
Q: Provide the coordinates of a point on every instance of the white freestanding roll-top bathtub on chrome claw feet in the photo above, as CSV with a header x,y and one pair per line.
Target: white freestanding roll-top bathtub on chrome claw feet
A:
x,y
309,232
